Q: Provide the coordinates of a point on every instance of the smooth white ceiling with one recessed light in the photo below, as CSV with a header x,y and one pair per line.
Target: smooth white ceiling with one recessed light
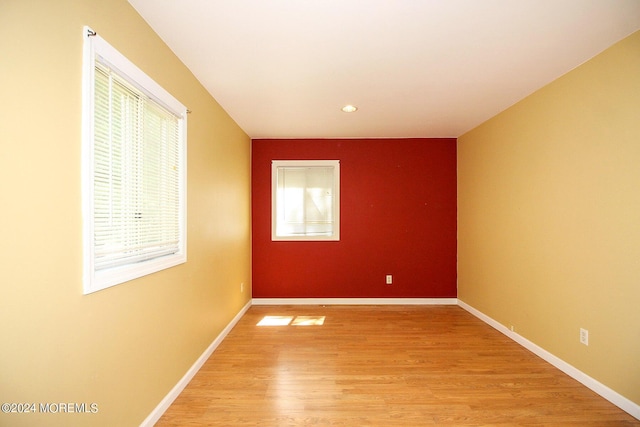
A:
x,y
414,68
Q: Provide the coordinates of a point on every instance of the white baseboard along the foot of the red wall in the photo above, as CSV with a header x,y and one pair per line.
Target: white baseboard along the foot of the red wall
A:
x,y
355,301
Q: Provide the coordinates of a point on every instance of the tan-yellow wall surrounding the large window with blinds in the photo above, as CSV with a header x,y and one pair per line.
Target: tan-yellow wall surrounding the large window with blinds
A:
x,y
123,348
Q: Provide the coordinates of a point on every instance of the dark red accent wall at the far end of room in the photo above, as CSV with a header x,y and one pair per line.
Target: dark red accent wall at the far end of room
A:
x,y
398,216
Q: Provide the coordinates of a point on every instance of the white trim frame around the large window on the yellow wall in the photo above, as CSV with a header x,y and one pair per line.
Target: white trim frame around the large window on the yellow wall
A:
x,y
94,281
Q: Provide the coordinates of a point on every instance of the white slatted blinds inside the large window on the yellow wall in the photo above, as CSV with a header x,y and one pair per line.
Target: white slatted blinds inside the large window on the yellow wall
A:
x,y
136,209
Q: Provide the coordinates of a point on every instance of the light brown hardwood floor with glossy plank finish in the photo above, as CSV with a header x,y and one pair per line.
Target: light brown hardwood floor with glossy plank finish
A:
x,y
381,366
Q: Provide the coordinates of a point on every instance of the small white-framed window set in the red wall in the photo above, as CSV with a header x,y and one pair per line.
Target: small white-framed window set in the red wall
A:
x,y
305,200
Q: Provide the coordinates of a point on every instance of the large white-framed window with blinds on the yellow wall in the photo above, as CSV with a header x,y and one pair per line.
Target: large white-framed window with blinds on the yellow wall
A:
x,y
134,170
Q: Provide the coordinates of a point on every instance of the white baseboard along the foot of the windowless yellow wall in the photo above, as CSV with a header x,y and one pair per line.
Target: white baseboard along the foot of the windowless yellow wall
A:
x,y
612,396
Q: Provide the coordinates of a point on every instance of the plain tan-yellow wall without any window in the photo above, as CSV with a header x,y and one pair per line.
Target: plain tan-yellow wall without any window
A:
x,y
549,217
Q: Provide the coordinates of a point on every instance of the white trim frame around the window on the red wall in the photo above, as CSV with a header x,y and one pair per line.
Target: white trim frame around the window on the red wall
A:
x,y
275,164
